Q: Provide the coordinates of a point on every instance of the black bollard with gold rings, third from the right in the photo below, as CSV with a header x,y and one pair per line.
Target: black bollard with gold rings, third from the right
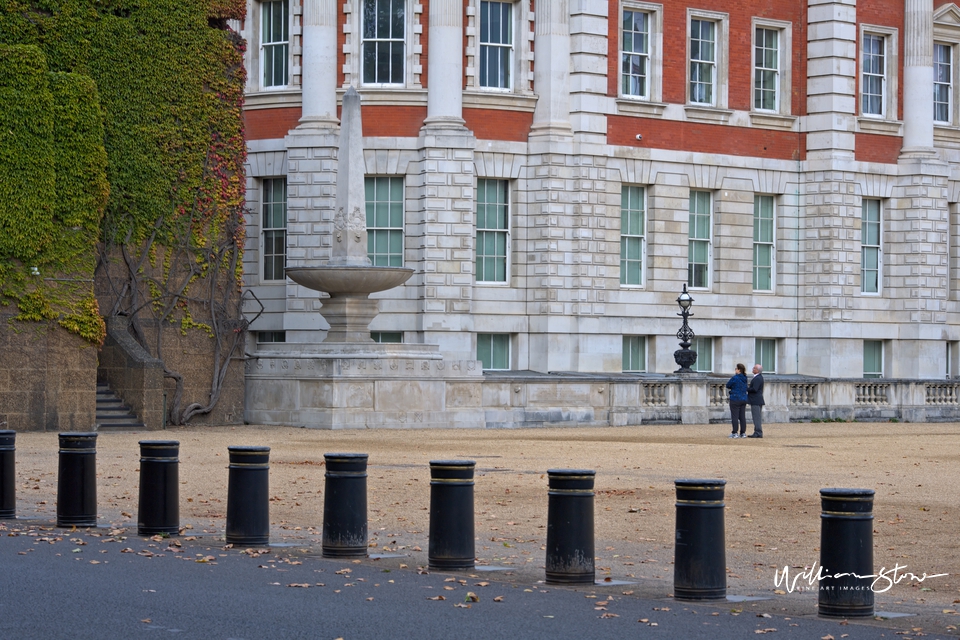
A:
x,y
570,545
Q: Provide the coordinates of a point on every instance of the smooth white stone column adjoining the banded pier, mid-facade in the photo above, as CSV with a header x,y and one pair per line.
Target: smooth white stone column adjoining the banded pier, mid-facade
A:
x,y
551,73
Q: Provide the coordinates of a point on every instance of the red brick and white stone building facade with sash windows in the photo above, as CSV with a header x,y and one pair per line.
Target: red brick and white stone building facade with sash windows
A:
x,y
555,172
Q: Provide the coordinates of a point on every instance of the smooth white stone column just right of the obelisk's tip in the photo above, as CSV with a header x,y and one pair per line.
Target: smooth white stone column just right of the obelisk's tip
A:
x,y
445,66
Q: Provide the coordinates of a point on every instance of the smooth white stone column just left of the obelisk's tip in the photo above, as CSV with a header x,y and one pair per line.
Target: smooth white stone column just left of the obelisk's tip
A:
x,y
319,64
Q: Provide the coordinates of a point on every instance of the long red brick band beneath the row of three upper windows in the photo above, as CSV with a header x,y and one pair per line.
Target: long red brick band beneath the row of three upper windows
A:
x,y
706,138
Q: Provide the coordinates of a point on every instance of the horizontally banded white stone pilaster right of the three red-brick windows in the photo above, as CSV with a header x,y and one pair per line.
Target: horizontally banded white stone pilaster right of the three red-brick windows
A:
x,y
831,79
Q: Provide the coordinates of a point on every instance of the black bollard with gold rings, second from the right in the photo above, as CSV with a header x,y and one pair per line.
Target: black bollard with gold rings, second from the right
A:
x,y
700,561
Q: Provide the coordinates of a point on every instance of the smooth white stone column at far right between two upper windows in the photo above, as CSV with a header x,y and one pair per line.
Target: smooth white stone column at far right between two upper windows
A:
x,y
917,78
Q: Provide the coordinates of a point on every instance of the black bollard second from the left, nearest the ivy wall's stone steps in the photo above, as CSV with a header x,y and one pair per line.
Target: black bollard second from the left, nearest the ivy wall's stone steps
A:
x,y
77,480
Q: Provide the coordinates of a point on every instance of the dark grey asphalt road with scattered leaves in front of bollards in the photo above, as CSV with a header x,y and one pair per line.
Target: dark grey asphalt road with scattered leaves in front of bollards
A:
x,y
103,583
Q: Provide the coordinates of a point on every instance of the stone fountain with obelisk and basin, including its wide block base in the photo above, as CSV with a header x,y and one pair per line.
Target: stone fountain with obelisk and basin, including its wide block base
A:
x,y
348,380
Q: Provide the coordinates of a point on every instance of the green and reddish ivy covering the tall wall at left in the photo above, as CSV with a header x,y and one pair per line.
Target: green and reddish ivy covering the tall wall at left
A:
x,y
121,175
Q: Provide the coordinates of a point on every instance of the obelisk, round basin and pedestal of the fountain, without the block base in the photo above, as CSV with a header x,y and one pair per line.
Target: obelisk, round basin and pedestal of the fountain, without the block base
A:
x,y
349,277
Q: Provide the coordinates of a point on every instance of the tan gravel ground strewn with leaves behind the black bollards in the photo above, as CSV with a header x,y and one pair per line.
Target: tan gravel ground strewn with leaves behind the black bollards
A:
x,y
771,494
